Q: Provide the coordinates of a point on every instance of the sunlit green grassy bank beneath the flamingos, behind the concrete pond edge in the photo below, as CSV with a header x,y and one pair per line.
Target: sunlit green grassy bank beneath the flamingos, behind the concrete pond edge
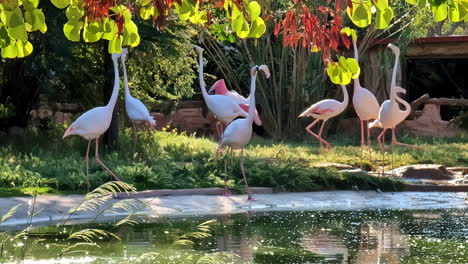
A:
x,y
172,160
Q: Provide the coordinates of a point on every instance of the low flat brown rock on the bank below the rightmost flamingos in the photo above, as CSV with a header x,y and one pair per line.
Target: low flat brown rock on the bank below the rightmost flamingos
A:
x,y
424,171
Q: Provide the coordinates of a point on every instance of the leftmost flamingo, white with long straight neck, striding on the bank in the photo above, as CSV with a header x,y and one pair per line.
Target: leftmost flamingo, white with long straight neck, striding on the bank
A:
x,y
93,123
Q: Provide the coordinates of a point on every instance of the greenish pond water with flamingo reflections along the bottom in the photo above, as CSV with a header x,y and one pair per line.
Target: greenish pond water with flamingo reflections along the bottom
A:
x,y
377,236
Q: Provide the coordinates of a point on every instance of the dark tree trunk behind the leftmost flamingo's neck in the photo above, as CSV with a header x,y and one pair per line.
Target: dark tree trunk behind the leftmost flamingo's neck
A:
x,y
111,137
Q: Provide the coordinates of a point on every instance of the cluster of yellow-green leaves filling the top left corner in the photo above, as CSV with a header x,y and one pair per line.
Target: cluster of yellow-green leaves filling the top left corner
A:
x,y
17,18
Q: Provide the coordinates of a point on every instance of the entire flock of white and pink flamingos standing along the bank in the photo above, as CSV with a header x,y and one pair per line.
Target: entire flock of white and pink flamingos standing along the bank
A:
x,y
236,114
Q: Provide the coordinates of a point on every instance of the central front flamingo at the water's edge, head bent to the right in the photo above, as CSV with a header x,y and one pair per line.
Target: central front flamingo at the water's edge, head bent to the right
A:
x,y
238,133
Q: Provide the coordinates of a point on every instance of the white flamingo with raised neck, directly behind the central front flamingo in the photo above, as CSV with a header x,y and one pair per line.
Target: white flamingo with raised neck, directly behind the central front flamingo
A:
x,y
223,107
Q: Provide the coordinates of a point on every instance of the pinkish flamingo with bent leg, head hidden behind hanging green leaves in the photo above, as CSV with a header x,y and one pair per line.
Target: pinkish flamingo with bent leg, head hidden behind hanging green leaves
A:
x,y
325,110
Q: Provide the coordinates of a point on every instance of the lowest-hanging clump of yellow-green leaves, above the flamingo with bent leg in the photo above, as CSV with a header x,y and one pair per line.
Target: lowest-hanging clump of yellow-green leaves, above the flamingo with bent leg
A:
x,y
343,71
